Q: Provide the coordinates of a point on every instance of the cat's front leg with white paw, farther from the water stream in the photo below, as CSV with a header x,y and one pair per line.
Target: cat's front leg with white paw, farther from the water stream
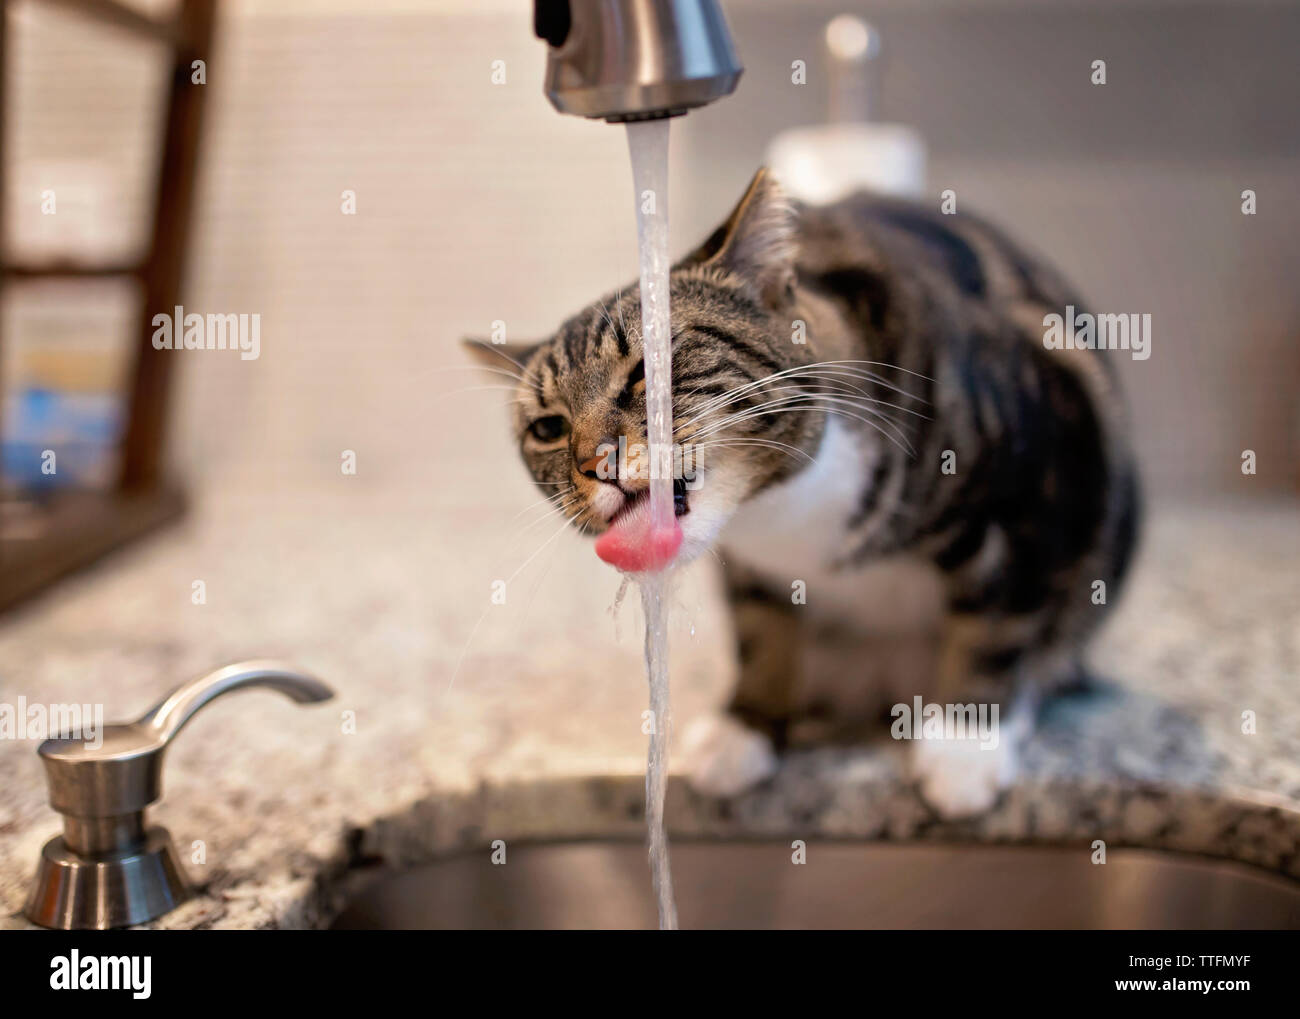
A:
x,y
968,756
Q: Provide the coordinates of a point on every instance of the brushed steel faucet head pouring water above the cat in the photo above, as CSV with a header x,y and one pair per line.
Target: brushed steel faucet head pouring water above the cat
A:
x,y
634,60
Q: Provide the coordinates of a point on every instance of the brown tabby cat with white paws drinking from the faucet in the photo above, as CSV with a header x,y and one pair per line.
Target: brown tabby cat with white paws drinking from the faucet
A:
x,y
912,496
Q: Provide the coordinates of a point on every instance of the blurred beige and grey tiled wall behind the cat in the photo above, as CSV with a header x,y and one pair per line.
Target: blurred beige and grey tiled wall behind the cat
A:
x,y
475,202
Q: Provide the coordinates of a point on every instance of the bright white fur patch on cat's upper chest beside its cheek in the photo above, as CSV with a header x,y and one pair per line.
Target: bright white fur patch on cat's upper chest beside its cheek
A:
x,y
798,527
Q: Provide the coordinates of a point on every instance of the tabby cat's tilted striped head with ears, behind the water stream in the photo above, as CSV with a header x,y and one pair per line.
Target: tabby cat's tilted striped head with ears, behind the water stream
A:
x,y
580,394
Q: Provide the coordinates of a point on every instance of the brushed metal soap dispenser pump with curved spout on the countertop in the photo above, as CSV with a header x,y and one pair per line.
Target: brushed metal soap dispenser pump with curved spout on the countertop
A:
x,y
107,870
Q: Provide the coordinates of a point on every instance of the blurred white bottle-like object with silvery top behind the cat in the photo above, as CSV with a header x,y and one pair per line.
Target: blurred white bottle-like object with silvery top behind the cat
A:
x,y
852,151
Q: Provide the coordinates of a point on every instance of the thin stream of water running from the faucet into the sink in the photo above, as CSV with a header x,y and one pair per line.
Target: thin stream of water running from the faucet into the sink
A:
x,y
648,146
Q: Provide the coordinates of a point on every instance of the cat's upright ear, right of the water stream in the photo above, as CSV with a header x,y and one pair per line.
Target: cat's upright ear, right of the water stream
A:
x,y
757,242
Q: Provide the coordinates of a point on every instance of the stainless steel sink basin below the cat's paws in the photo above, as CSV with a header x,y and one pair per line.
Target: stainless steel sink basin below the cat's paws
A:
x,y
843,886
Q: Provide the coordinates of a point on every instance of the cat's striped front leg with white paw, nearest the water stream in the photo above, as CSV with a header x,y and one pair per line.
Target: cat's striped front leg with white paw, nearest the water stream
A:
x,y
735,751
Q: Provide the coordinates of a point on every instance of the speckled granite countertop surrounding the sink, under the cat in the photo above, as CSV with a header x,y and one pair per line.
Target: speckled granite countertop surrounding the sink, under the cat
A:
x,y
478,722
